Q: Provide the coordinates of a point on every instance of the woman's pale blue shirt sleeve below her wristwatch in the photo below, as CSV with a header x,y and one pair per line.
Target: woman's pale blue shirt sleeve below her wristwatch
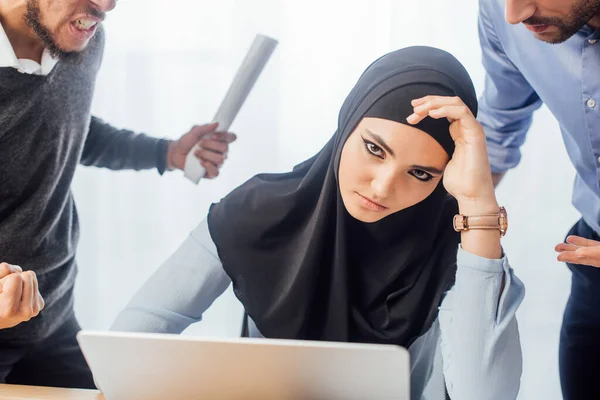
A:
x,y
480,342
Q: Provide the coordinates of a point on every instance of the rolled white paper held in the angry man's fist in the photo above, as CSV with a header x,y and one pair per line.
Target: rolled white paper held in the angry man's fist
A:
x,y
247,74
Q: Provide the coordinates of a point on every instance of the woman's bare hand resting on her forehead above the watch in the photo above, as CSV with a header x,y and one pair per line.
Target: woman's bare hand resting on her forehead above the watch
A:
x,y
468,176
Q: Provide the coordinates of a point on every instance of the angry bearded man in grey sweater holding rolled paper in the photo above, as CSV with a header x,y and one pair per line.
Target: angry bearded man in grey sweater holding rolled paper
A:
x,y
50,53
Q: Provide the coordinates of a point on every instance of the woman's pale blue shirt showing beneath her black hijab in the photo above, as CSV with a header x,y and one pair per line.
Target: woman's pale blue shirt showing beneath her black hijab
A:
x,y
472,349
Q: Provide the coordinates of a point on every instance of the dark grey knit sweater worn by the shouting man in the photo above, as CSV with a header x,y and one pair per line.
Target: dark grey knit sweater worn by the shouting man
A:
x,y
46,130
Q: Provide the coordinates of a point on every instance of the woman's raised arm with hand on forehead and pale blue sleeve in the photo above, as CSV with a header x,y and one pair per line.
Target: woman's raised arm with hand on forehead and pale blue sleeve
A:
x,y
480,342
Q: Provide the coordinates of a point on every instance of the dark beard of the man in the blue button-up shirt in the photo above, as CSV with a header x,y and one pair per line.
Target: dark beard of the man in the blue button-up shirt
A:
x,y
579,16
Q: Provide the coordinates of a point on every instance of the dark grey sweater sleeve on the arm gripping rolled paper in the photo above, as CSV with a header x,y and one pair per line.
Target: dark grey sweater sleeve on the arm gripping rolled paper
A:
x,y
118,149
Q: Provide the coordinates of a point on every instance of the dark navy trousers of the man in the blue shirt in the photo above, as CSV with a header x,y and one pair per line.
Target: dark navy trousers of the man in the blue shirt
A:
x,y
579,352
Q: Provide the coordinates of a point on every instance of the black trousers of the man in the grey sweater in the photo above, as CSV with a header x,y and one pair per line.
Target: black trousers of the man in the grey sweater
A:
x,y
56,361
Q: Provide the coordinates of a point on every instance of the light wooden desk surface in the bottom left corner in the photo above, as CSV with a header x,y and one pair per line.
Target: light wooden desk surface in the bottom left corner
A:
x,y
13,392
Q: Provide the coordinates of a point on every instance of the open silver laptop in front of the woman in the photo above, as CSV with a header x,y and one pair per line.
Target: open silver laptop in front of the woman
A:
x,y
139,366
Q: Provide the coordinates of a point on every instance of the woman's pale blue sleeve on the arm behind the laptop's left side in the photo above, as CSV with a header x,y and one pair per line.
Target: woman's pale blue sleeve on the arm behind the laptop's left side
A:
x,y
180,291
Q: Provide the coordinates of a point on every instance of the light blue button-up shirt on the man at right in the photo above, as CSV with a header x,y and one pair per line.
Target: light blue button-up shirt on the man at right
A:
x,y
523,72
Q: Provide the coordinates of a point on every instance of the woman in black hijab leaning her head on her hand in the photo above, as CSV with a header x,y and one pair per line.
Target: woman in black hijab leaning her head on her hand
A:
x,y
357,244
